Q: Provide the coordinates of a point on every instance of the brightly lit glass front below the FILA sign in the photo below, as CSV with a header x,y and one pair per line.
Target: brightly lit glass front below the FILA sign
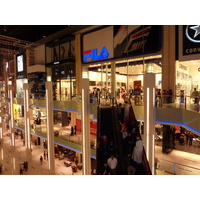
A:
x,y
127,80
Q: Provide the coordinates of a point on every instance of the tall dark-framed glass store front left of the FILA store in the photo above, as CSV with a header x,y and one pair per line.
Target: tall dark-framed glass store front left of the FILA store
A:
x,y
60,68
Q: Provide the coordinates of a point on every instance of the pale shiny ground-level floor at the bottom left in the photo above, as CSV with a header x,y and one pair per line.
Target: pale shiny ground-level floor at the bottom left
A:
x,y
12,157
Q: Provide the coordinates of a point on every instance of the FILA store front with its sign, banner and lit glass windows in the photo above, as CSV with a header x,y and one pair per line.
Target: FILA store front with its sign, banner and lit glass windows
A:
x,y
116,63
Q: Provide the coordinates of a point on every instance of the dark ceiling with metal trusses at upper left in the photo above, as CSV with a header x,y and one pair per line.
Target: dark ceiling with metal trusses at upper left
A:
x,y
15,38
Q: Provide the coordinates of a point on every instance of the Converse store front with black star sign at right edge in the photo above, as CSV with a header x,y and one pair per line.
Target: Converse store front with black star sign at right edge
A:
x,y
188,64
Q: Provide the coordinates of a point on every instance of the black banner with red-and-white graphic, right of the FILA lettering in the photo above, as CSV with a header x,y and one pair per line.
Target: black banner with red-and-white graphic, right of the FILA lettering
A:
x,y
136,40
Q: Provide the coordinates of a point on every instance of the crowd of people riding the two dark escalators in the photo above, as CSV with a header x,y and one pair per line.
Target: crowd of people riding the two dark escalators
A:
x,y
132,146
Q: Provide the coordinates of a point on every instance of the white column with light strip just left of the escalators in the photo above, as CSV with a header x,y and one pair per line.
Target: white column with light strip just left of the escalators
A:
x,y
86,127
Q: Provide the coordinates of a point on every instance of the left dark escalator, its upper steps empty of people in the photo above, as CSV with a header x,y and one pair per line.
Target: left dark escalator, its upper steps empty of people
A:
x,y
108,129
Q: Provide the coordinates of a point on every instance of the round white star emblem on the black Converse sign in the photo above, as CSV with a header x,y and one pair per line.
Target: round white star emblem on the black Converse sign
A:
x,y
193,33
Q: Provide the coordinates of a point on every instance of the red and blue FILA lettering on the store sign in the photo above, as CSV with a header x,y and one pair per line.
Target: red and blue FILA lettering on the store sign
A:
x,y
94,55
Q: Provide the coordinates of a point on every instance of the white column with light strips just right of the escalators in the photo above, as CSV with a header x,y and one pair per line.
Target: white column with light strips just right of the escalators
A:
x,y
149,118
